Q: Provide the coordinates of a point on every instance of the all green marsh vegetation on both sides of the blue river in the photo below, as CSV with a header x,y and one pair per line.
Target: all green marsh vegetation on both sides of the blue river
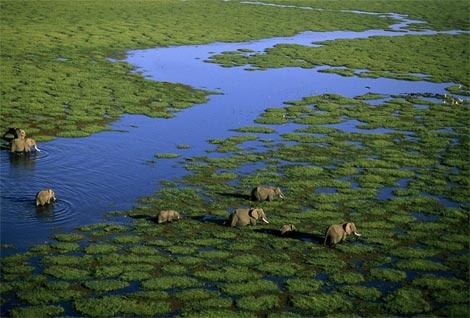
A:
x,y
412,258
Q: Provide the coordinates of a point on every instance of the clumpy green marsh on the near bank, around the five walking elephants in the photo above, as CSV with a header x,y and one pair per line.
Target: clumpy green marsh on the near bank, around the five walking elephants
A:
x,y
414,248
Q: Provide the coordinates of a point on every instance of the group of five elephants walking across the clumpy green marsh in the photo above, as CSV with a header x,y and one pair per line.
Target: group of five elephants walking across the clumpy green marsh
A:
x,y
335,233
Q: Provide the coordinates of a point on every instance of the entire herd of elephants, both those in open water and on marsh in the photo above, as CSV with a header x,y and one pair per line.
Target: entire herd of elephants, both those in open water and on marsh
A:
x,y
334,234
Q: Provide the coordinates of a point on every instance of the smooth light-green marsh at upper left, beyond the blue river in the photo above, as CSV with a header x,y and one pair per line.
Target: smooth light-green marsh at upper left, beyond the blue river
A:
x,y
68,87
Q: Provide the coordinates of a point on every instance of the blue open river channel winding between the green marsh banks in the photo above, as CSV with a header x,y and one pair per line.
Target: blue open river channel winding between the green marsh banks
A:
x,y
109,171
